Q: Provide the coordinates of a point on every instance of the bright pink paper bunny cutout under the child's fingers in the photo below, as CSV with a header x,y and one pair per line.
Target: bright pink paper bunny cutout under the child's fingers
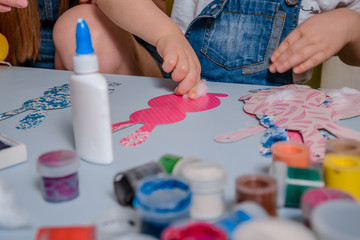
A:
x,y
164,109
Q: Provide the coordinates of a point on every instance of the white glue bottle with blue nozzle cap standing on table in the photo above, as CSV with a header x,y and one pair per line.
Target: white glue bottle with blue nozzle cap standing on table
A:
x,y
90,102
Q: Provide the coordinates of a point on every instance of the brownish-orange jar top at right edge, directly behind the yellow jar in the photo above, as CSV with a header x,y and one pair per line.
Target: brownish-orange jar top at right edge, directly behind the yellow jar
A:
x,y
343,146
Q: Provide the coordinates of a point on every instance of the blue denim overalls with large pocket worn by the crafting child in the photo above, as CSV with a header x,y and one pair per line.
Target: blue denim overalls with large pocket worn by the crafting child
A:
x,y
234,39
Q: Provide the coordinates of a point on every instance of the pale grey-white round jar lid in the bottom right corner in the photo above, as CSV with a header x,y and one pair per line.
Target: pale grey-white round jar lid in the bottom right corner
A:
x,y
335,220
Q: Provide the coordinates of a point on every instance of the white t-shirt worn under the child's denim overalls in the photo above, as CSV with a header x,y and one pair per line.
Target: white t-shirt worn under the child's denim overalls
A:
x,y
184,11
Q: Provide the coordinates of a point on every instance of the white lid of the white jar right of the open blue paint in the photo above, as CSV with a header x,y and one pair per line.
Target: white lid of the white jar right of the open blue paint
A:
x,y
205,177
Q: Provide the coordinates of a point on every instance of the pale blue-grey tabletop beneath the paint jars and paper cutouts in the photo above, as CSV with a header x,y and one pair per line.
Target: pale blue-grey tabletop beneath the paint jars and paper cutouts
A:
x,y
194,136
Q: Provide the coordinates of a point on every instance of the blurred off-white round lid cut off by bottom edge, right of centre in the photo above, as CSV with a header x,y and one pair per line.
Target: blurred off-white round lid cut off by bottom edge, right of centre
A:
x,y
273,229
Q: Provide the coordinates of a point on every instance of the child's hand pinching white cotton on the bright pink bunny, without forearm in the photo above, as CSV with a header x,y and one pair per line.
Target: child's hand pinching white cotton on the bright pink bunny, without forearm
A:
x,y
181,60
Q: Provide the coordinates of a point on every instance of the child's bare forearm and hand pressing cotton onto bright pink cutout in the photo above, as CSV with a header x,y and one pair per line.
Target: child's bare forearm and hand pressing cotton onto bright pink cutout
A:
x,y
144,19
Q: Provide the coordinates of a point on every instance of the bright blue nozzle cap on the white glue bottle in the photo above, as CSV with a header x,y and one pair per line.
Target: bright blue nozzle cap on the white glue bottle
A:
x,y
83,38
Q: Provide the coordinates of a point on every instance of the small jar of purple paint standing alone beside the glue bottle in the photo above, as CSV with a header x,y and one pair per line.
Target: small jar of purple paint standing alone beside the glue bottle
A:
x,y
58,170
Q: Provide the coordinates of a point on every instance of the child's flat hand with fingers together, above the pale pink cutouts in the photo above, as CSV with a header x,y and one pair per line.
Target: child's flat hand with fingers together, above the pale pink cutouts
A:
x,y
317,39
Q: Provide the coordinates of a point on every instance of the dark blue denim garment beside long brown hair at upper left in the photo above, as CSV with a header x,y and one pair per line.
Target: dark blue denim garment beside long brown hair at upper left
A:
x,y
48,13
